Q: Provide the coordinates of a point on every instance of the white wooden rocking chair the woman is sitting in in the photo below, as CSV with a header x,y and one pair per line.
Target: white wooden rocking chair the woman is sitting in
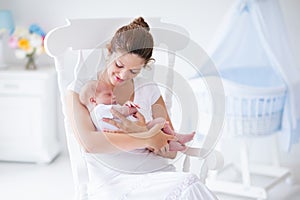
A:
x,y
80,38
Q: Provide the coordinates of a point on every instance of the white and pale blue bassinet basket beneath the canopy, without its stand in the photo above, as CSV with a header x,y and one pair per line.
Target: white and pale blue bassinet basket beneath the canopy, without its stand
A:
x,y
254,101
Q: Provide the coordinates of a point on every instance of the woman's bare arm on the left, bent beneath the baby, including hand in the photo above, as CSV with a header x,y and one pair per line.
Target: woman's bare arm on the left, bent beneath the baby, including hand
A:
x,y
96,142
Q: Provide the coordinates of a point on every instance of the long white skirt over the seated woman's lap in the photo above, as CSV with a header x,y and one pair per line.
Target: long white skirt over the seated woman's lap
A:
x,y
152,186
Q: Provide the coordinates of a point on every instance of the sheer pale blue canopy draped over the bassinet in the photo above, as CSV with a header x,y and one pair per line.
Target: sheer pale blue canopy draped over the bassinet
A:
x,y
253,35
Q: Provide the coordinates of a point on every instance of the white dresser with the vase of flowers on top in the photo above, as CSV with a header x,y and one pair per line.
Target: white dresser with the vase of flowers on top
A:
x,y
28,112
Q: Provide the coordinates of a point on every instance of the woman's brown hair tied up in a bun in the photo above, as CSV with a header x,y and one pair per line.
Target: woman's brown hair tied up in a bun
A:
x,y
134,38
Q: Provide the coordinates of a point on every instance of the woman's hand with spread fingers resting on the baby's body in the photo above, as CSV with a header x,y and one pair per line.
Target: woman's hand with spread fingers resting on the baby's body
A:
x,y
125,125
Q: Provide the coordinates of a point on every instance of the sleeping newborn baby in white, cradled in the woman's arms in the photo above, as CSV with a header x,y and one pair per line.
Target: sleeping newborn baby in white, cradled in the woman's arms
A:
x,y
98,97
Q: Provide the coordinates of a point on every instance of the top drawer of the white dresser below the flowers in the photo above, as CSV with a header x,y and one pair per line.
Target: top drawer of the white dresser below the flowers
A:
x,y
22,87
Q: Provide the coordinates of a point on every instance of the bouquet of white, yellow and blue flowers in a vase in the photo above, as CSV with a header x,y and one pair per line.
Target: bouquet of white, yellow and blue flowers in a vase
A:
x,y
28,43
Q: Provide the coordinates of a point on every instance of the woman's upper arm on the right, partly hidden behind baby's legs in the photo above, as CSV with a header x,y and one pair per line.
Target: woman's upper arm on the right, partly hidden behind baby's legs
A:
x,y
159,109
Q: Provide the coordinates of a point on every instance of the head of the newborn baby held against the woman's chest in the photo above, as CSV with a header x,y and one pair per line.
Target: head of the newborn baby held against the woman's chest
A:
x,y
96,92
